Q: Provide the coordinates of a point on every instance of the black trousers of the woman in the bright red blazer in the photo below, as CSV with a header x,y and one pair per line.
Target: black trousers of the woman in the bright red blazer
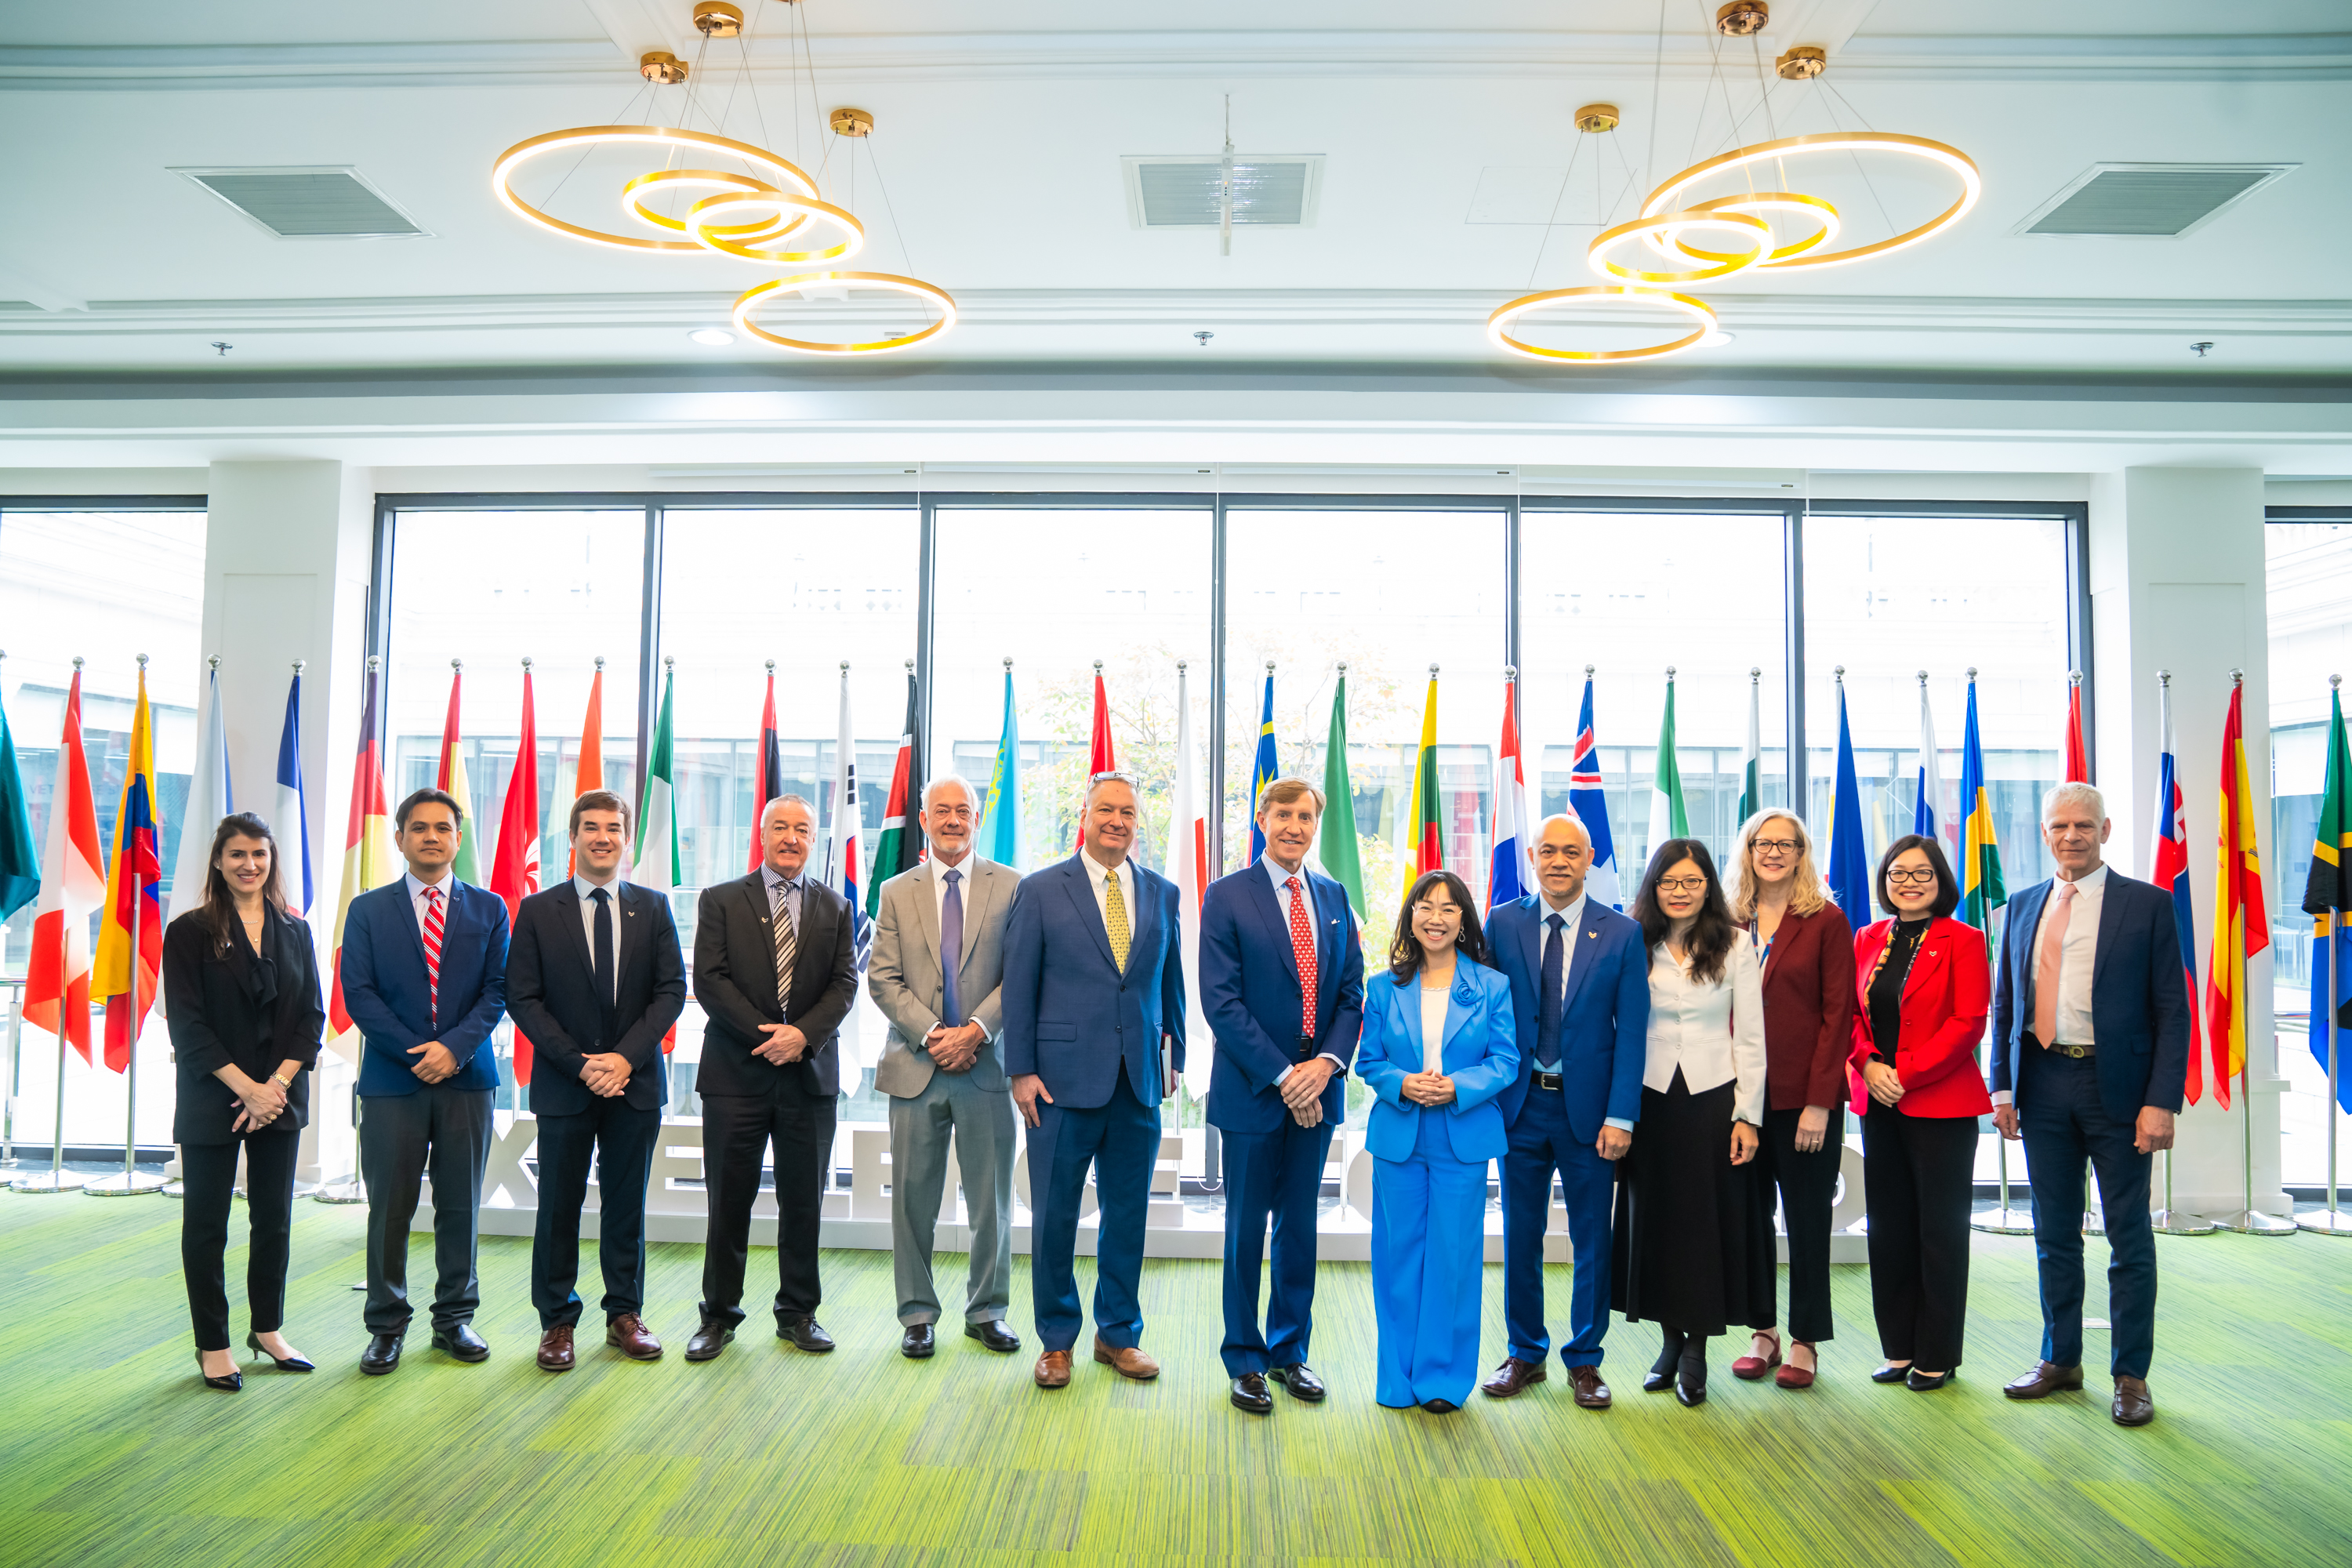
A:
x,y
1920,1179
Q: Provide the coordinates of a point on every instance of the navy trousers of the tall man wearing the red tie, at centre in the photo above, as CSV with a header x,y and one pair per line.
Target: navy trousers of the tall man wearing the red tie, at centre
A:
x,y
1271,1177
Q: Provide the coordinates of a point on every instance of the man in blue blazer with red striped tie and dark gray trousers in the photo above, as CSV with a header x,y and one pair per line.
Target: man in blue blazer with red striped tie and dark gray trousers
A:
x,y
425,979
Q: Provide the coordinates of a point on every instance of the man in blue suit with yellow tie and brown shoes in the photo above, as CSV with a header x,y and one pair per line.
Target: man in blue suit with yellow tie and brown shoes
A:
x,y
1093,1043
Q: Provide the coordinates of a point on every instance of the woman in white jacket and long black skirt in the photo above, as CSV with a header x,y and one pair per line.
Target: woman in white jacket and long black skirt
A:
x,y
1685,1254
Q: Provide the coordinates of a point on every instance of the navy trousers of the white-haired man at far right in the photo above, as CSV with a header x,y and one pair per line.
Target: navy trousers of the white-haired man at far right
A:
x,y
2066,1125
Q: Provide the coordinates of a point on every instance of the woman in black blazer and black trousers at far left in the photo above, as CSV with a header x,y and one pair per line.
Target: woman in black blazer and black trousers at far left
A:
x,y
243,998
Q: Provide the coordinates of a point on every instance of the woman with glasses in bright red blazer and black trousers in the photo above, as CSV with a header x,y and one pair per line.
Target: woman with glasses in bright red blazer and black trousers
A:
x,y
1923,993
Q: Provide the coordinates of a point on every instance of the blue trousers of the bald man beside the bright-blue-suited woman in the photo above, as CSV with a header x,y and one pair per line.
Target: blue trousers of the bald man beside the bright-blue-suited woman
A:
x,y
1539,1146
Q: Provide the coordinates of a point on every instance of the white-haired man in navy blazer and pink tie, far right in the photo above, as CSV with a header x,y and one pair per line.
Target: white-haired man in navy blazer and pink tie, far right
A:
x,y
2090,1057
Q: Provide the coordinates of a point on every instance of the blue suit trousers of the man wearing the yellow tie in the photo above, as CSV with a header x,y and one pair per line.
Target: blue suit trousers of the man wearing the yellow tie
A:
x,y
1121,1141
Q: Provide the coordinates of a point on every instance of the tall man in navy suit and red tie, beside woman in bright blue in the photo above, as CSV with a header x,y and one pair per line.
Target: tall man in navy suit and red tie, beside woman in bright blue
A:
x,y
1283,991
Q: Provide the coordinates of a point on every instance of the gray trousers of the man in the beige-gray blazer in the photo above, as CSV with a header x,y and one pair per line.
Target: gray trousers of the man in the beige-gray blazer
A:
x,y
982,1123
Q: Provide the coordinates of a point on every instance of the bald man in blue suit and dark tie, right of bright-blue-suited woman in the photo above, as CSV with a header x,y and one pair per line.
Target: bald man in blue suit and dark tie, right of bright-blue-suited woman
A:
x,y
1579,989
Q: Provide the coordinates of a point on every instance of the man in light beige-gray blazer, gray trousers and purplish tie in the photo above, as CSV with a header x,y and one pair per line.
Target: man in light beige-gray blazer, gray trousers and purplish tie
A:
x,y
937,974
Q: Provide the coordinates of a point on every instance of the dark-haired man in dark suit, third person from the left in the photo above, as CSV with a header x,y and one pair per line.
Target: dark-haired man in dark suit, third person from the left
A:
x,y
596,981
